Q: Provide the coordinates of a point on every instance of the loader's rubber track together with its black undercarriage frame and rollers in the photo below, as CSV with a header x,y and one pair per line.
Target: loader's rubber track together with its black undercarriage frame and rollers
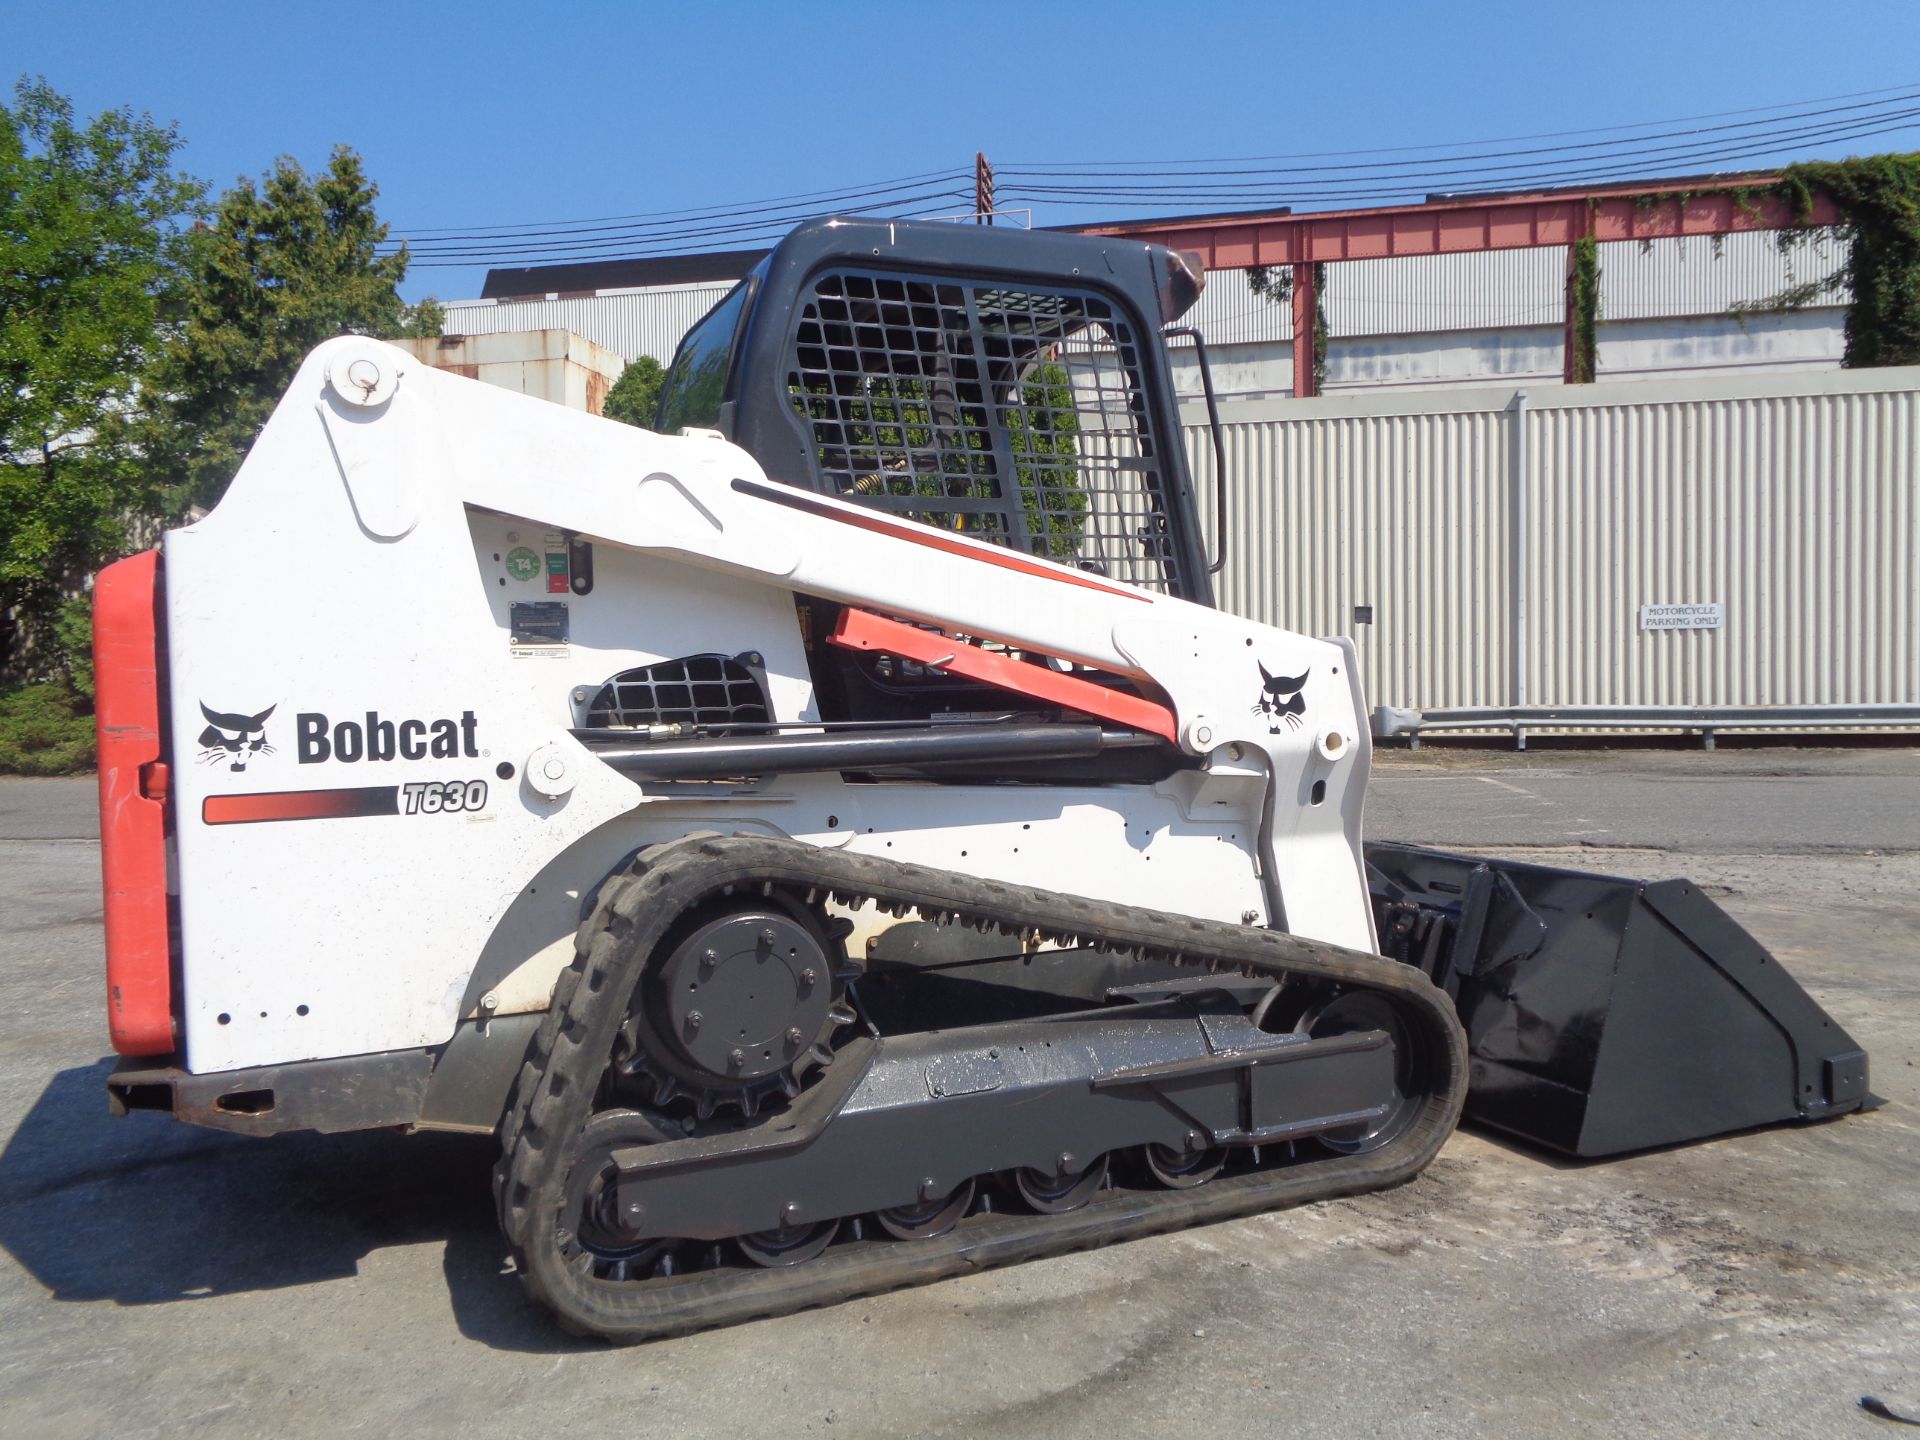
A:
x,y
1214,1126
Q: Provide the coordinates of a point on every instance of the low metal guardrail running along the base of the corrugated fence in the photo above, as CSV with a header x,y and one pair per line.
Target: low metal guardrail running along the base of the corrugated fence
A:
x,y
1391,721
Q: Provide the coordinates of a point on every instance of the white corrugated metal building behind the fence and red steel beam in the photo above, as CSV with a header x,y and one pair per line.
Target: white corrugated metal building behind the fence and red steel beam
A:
x,y
1439,320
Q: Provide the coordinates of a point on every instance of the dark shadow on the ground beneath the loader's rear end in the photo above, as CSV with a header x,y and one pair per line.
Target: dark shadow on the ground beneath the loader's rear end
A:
x,y
149,1212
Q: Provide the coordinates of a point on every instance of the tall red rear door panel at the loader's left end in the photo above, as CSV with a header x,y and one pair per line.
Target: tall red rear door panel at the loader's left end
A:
x,y
133,815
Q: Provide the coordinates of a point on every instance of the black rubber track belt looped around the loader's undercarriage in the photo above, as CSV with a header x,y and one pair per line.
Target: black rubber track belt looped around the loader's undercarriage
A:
x,y
558,1082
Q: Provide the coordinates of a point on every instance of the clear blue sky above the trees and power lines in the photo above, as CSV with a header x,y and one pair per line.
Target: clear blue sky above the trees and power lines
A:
x,y
517,114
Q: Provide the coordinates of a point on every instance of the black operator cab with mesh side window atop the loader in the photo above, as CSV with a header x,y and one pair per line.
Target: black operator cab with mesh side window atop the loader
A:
x,y
1007,387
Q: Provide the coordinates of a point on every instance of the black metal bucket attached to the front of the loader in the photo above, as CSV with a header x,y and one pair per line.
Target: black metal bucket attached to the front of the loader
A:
x,y
1610,1015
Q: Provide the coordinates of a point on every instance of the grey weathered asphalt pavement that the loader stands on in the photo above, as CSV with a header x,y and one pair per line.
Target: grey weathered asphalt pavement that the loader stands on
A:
x,y
158,1280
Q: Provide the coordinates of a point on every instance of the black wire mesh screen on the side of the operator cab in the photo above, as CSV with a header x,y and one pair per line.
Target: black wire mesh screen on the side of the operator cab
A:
x,y
1011,416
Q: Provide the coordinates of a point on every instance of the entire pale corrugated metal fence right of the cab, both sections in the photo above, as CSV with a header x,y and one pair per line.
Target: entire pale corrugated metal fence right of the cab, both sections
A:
x,y
1787,500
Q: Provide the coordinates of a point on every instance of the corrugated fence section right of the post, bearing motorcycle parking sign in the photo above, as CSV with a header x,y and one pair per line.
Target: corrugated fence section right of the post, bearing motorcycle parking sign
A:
x,y
1792,512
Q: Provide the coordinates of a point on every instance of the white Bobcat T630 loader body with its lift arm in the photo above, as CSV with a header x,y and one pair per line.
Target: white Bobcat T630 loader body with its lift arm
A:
x,y
410,834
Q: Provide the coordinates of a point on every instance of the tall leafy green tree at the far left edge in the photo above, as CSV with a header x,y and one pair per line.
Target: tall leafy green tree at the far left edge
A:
x,y
93,224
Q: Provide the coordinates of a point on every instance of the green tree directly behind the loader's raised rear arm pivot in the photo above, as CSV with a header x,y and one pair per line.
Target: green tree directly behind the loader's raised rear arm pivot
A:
x,y
287,264
